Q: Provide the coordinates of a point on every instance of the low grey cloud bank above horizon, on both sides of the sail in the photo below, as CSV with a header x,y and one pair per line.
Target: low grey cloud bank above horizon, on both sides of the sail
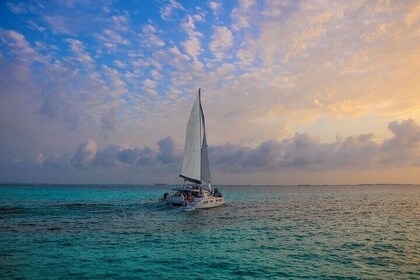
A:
x,y
300,152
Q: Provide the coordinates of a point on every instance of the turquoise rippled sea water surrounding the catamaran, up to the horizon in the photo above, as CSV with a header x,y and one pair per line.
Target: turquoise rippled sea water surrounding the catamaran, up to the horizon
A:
x,y
263,232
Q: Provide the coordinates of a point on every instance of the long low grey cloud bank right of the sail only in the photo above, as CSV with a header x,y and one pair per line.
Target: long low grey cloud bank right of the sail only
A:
x,y
303,152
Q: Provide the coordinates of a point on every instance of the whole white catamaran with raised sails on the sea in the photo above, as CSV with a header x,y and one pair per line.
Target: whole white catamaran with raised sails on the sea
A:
x,y
196,191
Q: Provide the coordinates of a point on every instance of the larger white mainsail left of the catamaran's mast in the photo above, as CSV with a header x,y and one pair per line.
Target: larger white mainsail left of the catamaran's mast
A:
x,y
191,166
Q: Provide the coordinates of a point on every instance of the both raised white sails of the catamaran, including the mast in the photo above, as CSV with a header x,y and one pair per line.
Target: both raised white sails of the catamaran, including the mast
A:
x,y
195,167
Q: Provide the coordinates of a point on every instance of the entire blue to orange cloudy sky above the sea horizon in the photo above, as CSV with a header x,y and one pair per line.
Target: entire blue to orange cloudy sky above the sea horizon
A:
x,y
294,92
